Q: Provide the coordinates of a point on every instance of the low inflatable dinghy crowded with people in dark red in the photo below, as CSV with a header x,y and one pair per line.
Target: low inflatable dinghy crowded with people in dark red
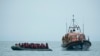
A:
x,y
31,46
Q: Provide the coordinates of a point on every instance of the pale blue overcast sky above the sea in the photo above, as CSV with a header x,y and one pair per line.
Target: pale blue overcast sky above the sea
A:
x,y
45,20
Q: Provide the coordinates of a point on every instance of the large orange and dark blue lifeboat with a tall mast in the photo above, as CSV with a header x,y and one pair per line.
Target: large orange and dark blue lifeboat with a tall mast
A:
x,y
74,39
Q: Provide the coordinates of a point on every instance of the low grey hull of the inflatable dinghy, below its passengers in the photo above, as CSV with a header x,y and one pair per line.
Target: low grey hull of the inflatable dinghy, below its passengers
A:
x,y
31,49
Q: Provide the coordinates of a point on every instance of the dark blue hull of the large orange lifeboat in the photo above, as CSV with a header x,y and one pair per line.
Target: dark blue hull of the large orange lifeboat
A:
x,y
77,45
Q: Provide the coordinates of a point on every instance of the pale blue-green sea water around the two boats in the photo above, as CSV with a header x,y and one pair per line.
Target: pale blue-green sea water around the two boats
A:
x,y
5,50
